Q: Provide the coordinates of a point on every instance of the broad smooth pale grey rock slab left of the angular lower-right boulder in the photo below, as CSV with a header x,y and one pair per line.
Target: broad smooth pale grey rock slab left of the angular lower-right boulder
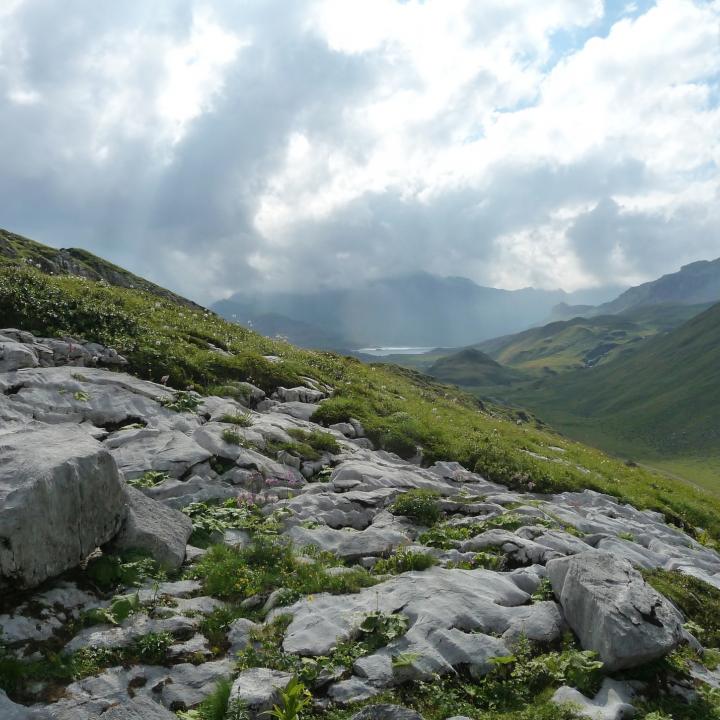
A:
x,y
456,618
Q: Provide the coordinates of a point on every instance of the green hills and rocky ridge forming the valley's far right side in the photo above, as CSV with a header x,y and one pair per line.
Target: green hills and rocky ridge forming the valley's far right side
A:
x,y
638,376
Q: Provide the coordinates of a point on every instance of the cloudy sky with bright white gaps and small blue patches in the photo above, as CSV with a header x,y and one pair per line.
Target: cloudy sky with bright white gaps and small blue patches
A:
x,y
267,145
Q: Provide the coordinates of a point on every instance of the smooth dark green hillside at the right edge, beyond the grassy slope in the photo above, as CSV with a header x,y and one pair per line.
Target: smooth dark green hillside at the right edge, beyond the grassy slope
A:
x,y
662,401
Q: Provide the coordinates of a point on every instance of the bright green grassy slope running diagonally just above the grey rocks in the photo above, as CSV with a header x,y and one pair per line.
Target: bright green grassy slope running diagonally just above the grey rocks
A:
x,y
399,408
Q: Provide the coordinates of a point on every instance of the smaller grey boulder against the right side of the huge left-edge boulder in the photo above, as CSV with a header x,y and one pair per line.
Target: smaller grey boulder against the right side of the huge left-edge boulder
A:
x,y
155,528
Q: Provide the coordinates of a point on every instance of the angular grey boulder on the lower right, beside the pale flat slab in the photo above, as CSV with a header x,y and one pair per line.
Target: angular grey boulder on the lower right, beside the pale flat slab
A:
x,y
613,611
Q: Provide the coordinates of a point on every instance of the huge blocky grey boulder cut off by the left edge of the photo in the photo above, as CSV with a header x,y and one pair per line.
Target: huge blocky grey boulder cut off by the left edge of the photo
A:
x,y
61,497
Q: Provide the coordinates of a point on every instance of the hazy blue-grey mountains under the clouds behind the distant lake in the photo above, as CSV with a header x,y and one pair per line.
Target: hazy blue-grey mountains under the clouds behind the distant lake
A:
x,y
414,310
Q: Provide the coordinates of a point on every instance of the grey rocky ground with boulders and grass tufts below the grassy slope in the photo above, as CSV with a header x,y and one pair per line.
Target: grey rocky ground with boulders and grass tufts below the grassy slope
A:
x,y
97,459
